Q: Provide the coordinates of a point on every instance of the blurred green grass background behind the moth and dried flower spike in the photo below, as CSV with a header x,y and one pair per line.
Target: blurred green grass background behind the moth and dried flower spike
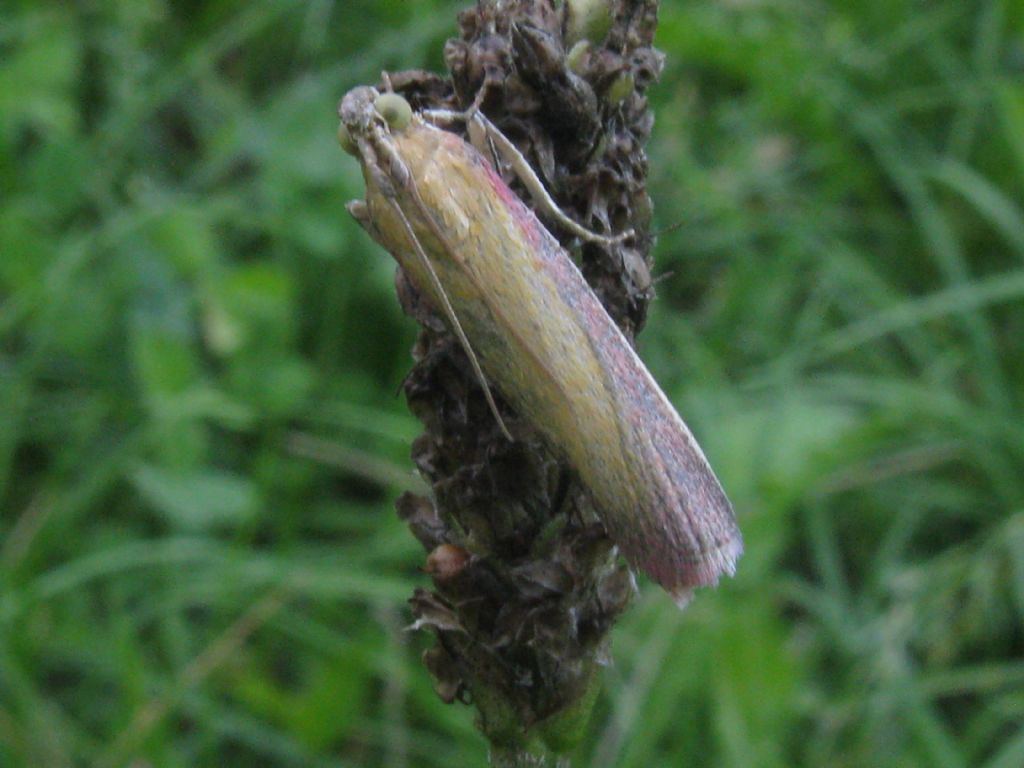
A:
x,y
200,437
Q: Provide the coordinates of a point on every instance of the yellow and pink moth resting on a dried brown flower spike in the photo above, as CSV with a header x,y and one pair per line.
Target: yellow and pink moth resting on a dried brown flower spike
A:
x,y
534,329
